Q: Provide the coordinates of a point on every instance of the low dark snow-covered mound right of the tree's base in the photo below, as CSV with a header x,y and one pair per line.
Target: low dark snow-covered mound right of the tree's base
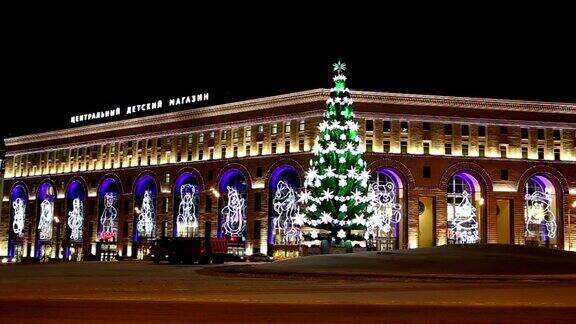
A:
x,y
454,259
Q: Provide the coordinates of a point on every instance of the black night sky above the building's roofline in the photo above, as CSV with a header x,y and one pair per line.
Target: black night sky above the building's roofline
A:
x,y
56,72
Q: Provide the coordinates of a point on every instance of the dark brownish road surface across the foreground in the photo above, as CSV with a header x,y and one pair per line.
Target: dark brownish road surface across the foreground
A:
x,y
143,292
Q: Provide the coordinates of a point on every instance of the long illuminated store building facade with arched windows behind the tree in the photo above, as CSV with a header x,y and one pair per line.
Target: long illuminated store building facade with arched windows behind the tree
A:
x,y
460,170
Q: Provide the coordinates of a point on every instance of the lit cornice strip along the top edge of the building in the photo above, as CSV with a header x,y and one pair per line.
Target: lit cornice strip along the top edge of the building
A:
x,y
316,95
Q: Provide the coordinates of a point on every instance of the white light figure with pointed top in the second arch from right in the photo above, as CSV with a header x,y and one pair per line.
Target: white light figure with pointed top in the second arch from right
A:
x,y
462,224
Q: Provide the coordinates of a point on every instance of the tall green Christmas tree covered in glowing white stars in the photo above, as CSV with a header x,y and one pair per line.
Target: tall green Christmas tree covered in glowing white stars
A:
x,y
336,185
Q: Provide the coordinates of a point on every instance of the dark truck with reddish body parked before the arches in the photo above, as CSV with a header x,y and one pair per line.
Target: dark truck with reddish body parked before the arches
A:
x,y
189,250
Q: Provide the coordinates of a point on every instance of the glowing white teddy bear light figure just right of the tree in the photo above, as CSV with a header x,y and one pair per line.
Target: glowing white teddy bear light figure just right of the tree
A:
x,y
385,211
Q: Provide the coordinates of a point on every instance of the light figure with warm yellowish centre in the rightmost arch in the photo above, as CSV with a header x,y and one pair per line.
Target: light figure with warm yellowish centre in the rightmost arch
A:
x,y
538,212
